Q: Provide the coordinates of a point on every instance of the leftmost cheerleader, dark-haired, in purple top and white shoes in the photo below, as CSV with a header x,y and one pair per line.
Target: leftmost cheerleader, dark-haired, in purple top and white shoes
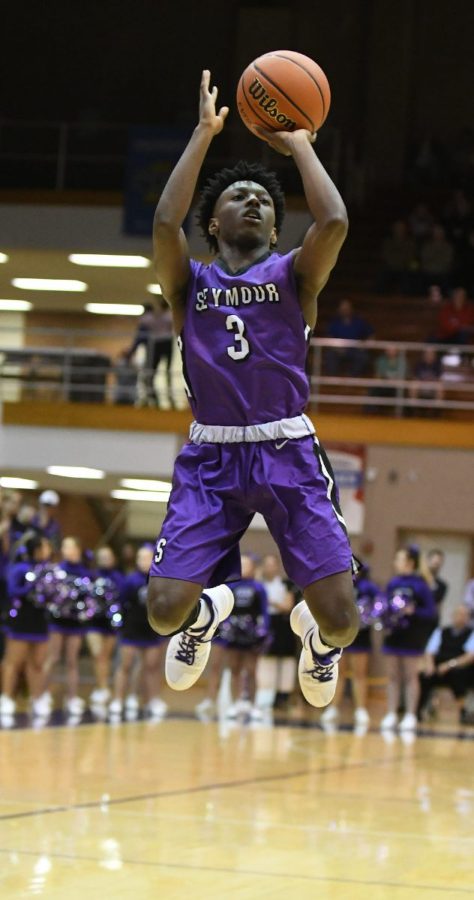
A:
x,y
26,629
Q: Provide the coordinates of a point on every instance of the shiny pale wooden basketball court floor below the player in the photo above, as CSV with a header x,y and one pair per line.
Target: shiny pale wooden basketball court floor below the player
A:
x,y
186,809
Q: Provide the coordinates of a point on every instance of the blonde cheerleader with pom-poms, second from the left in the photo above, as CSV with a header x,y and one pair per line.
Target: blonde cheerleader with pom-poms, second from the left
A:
x,y
66,632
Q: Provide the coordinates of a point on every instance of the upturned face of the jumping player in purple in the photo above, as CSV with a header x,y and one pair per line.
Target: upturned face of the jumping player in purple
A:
x,y
244,213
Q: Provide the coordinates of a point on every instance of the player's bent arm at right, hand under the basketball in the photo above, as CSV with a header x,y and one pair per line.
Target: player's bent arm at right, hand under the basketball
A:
x,y
317,256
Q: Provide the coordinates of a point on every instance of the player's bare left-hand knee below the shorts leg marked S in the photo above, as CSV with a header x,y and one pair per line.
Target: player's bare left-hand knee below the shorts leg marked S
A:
x,y
169,604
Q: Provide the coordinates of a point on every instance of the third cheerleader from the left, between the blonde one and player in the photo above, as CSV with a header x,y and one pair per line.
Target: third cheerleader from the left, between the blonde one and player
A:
x,y
102,634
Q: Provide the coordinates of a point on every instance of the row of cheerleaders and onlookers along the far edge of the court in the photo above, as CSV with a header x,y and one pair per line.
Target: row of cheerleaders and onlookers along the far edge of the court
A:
x,y
60,602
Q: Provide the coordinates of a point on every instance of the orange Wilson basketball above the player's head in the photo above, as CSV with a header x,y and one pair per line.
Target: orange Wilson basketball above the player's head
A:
x,y
282,91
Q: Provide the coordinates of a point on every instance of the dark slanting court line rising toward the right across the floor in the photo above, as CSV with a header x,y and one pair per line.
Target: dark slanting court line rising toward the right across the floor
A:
x,y
177,792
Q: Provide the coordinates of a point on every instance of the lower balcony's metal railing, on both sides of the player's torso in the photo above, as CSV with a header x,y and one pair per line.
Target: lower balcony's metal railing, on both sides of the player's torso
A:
x,y
67,366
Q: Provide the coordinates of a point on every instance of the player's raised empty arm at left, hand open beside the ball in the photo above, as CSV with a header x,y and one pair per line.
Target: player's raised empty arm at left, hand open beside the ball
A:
x,y
170,248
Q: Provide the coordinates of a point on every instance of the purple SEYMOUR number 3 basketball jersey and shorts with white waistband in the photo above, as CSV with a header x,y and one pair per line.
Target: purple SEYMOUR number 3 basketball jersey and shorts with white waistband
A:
x,y
244,344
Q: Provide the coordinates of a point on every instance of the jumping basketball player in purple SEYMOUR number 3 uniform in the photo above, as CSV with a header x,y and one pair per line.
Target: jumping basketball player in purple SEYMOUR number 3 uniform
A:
x,y
244,322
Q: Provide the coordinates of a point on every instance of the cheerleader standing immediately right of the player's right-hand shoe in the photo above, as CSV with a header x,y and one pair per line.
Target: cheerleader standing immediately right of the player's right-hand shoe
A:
x,y
354,662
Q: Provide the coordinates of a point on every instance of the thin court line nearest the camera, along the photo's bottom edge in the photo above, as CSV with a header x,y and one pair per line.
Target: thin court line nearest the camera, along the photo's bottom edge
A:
x,y
254,872
